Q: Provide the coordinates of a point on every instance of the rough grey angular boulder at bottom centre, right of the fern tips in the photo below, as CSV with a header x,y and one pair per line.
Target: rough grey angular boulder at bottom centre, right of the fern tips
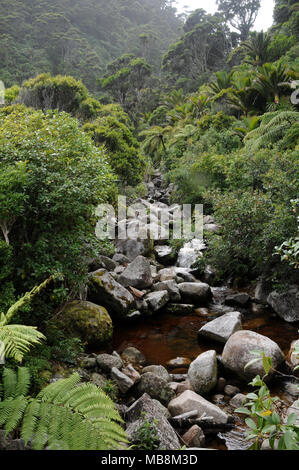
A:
x,y
146,408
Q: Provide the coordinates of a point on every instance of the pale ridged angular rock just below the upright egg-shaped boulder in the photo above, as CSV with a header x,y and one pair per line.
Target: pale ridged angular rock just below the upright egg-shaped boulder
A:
x,y
189,401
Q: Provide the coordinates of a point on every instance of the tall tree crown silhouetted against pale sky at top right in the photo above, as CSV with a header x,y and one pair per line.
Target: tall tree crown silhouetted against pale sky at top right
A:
x,y
240,14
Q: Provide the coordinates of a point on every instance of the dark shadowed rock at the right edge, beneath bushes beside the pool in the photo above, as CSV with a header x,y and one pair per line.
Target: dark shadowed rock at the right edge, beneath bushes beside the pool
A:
x,y
286,304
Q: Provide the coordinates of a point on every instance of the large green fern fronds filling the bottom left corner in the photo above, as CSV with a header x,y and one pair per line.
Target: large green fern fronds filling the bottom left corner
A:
x,y
66,415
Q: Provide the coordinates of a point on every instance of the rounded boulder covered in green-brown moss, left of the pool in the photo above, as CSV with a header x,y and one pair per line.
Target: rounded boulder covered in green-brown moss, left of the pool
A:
x,y
90,322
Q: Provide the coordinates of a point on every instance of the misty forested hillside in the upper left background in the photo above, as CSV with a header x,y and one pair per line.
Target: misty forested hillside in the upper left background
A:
x,y
80,37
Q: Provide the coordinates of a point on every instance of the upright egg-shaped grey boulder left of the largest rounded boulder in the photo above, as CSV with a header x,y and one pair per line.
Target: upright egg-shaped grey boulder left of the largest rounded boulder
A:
x,y
202,372
